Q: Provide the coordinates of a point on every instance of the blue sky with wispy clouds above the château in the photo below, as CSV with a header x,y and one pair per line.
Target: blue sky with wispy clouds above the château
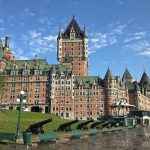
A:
x,y
118,31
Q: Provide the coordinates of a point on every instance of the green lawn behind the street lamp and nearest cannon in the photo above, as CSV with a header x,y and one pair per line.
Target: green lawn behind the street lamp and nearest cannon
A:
x,y
8,120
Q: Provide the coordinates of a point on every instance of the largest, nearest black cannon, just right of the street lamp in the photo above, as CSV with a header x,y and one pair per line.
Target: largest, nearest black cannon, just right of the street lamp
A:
x,y
37,127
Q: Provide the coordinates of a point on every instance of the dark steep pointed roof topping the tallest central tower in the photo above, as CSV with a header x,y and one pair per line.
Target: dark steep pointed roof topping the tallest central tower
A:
x,y
73,24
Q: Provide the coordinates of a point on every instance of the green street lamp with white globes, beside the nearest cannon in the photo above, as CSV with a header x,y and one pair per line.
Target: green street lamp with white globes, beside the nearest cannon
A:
x,y
20,100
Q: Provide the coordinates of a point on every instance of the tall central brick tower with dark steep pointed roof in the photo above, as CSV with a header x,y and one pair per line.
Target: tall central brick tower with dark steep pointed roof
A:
x,y
72,48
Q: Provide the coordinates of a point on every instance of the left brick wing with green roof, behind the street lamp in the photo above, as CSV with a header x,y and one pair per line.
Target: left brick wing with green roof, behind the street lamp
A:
x,y
29,76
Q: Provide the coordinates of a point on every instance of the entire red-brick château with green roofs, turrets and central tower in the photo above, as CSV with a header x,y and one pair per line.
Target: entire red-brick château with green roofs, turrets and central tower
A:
x,y
66,89
